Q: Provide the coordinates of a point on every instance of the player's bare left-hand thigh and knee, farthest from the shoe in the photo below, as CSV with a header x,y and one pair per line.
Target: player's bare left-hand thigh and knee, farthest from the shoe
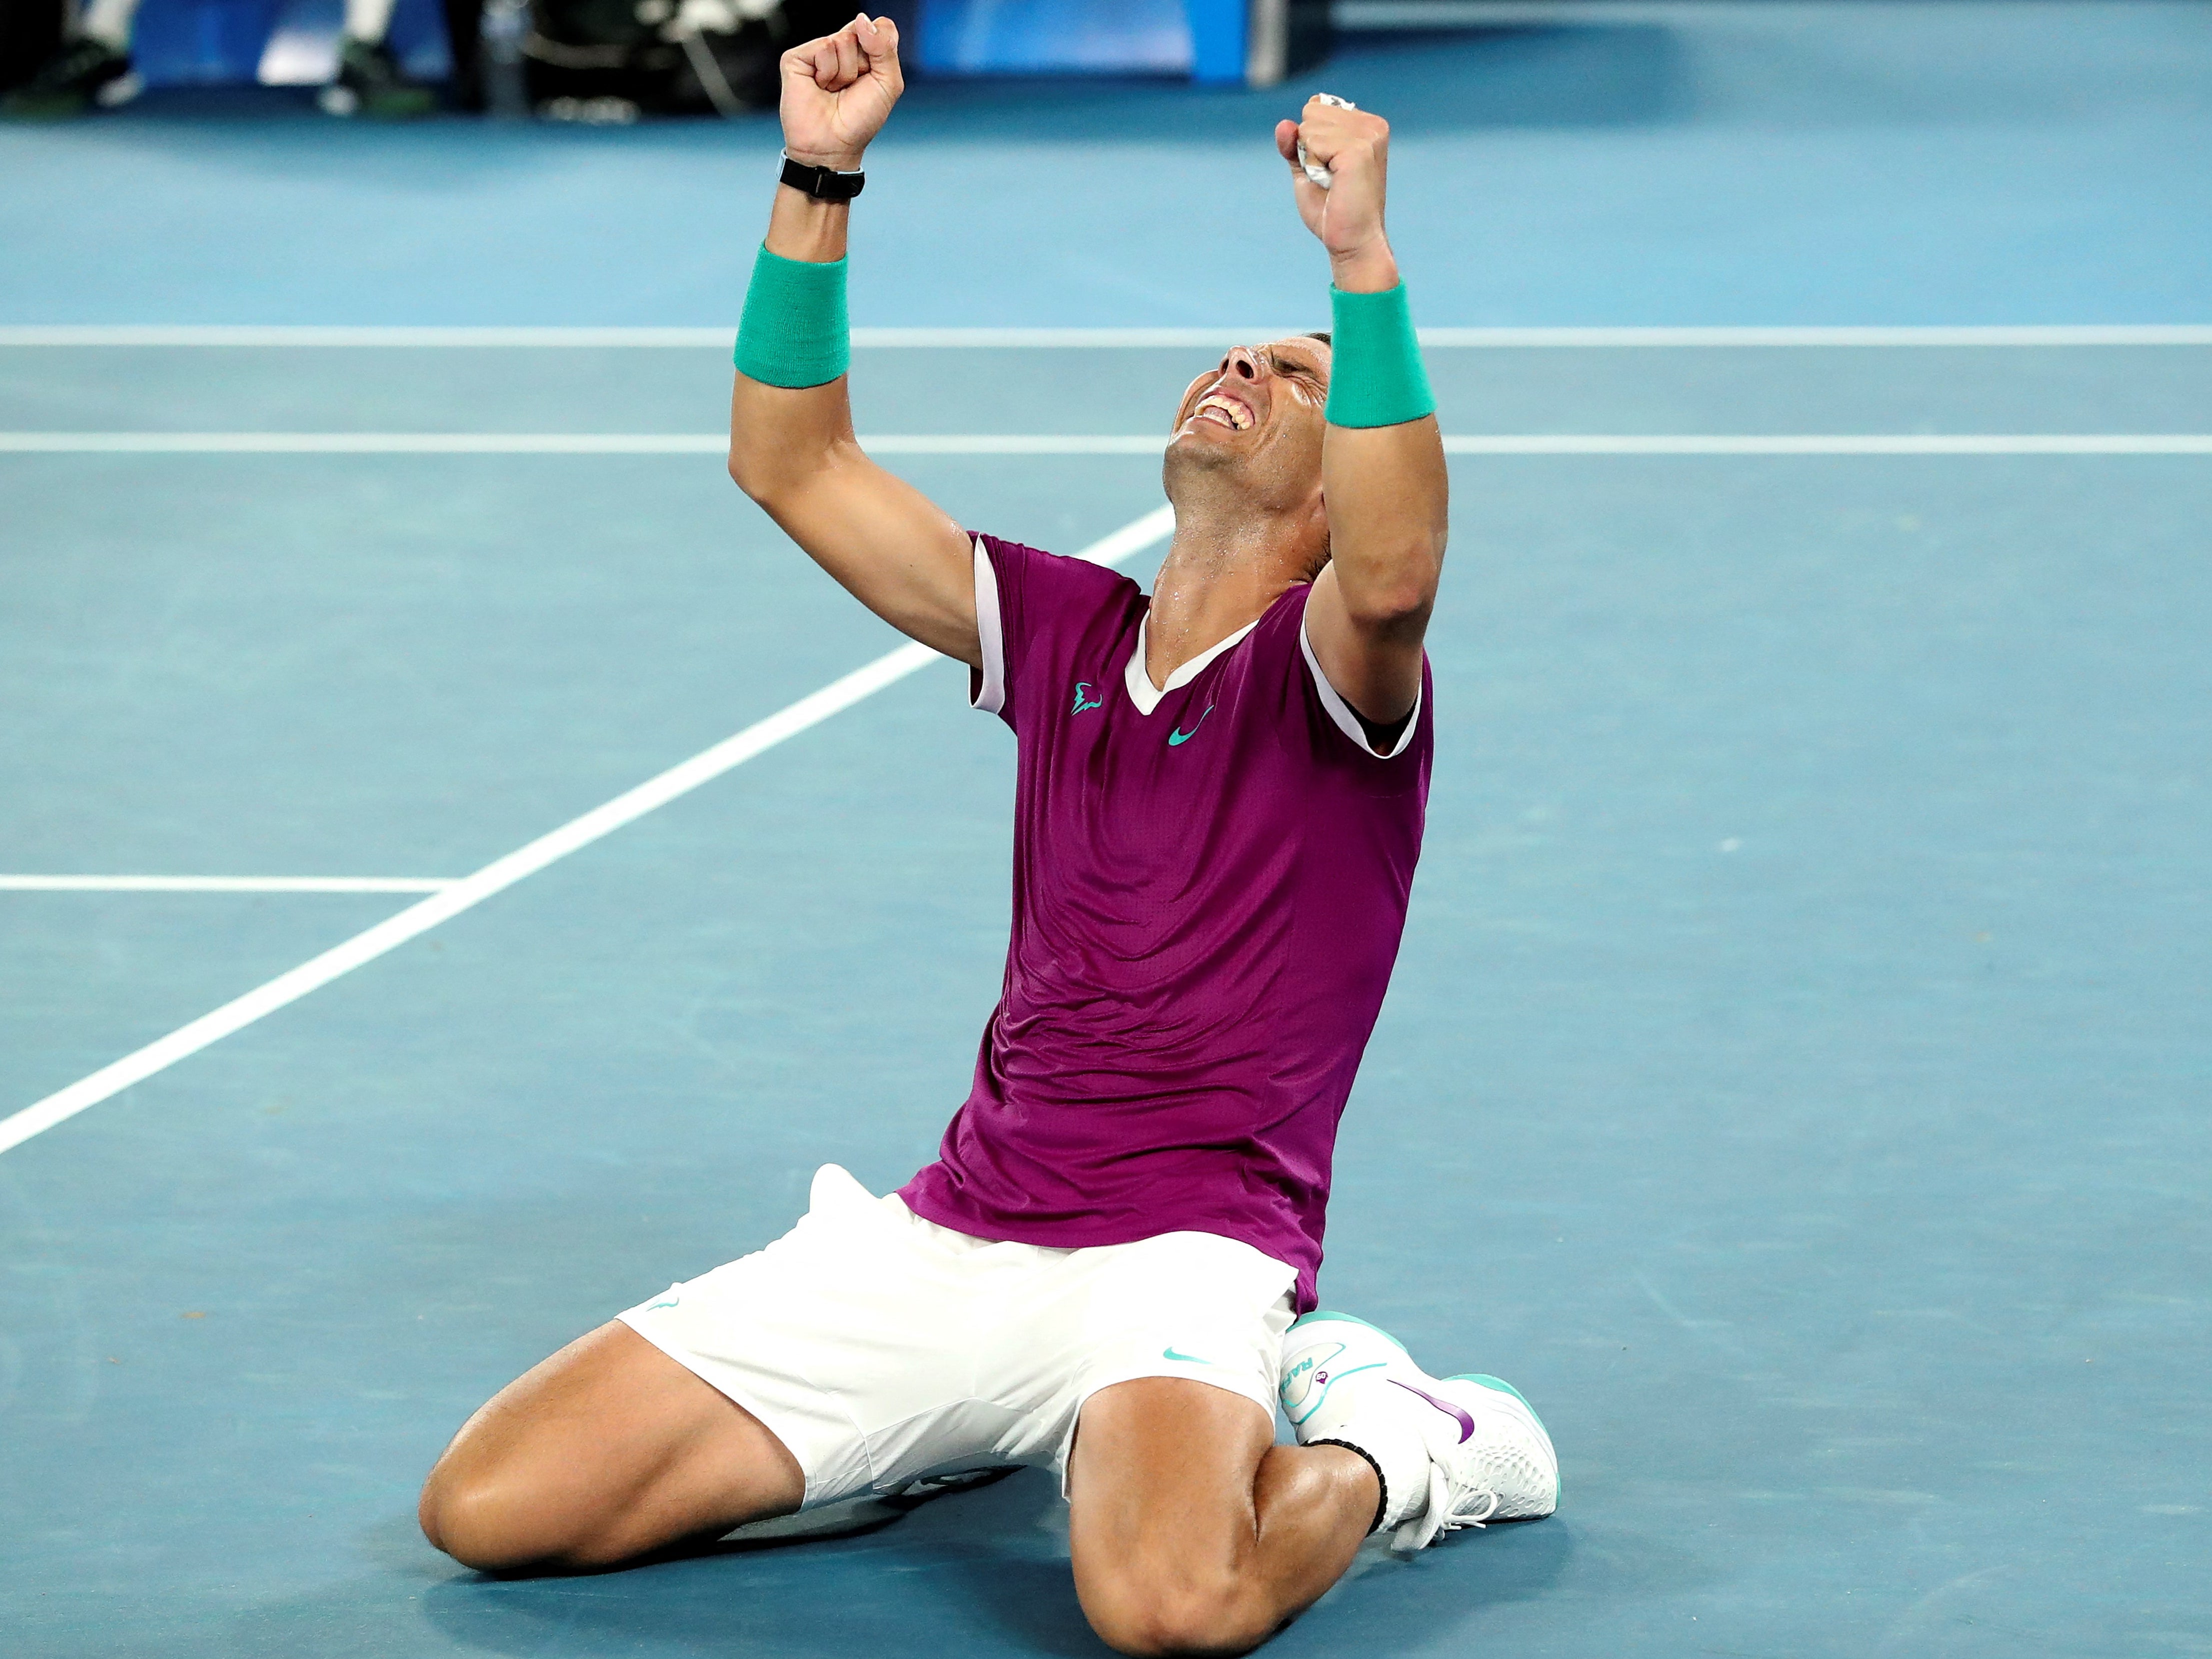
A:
x,y
598,1454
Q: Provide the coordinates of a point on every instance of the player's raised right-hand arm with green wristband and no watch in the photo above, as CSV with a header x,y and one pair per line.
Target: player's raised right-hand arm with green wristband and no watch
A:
x,y
1381,457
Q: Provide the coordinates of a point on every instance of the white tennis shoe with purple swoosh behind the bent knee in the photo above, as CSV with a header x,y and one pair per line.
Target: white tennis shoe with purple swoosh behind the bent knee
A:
x,y
1485,1450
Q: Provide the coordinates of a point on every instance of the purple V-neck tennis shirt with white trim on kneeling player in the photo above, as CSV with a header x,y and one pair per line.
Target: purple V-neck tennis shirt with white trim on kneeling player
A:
x,y
1209,893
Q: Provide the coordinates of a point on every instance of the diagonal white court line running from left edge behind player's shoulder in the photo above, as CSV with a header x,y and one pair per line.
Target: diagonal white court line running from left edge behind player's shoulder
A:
x,y
523,862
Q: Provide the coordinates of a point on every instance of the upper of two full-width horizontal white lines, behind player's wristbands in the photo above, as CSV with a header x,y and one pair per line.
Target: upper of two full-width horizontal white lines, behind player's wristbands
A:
x,y
696,340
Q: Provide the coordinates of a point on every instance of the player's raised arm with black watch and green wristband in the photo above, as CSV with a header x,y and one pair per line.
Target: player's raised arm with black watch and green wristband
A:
x,y
791,441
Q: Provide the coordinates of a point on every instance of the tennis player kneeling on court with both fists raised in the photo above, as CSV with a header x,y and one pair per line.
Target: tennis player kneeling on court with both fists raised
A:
x,y
1109,1271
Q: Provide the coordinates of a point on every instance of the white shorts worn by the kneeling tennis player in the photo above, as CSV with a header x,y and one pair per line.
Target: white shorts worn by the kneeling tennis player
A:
x,y
884,1348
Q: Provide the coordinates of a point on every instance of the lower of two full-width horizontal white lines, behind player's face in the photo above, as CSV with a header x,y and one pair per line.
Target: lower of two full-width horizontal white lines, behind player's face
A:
x,y
1025,444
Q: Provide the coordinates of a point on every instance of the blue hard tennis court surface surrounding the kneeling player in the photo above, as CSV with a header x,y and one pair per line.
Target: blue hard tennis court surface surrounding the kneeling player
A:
x,y
1795,1078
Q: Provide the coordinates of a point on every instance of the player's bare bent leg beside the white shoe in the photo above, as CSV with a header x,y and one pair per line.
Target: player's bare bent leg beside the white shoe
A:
x,y
1193,1532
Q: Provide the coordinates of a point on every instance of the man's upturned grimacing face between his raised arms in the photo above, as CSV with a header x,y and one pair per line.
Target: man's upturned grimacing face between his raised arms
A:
x,y
1260,410
